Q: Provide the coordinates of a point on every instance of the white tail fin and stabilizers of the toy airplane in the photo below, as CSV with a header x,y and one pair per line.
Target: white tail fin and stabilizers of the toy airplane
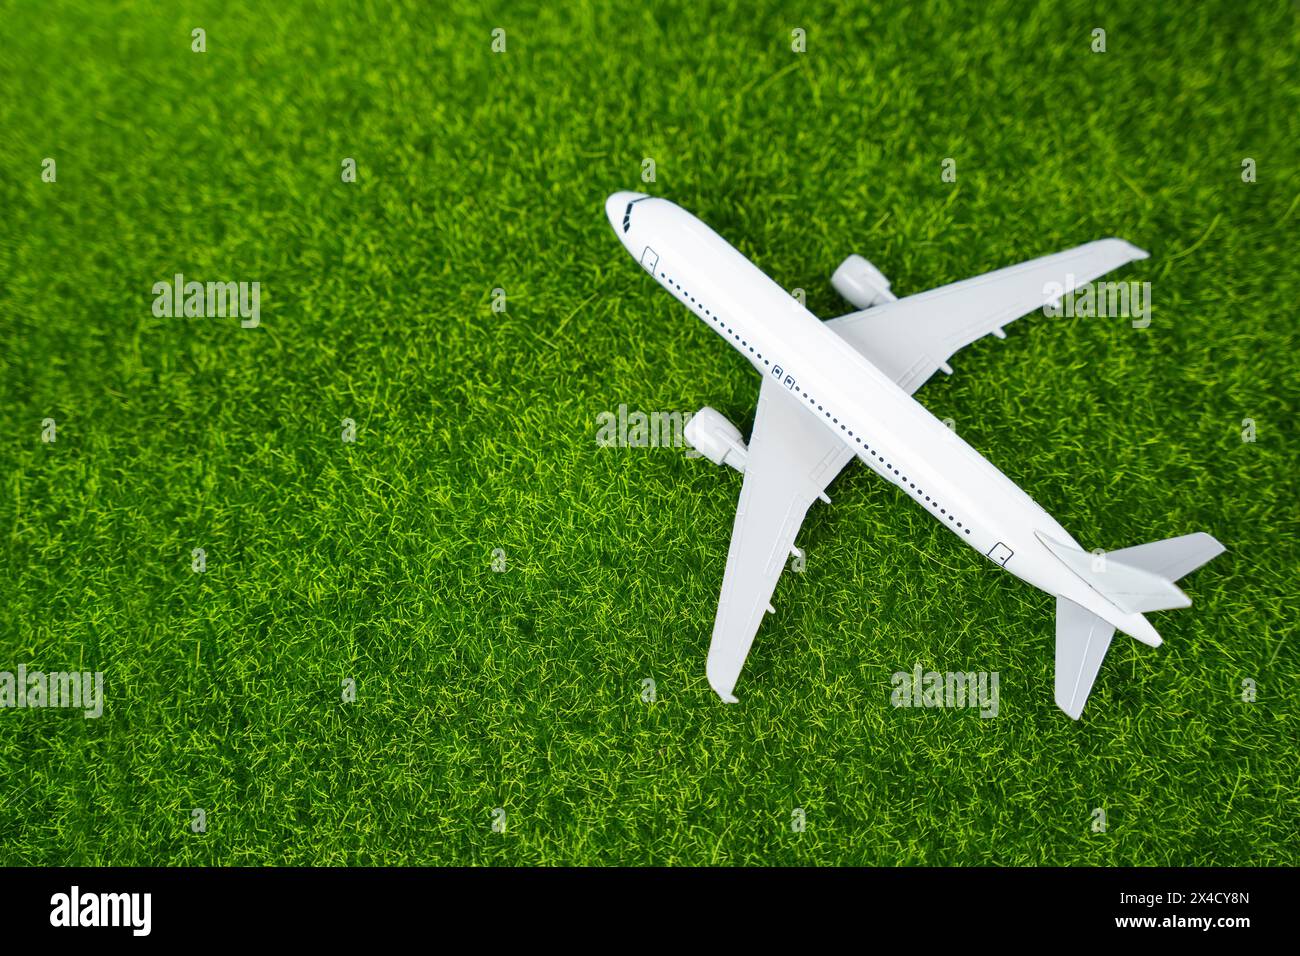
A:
x,y
1134,581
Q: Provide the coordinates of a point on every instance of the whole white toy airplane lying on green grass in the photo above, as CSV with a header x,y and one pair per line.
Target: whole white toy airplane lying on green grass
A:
x,y
833,391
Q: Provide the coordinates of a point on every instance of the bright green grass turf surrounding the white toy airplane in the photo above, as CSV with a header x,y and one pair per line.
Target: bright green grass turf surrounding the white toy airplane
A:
x,y
476,431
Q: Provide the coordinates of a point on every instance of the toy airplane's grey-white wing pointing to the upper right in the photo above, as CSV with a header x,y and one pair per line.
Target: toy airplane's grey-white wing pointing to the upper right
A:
x,y
912,339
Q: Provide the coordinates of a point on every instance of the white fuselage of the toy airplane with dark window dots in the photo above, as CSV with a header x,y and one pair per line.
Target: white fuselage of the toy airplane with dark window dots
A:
x,y
890,431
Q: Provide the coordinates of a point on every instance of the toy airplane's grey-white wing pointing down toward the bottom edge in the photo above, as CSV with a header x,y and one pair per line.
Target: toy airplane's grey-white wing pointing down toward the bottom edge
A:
x,y
792,458
